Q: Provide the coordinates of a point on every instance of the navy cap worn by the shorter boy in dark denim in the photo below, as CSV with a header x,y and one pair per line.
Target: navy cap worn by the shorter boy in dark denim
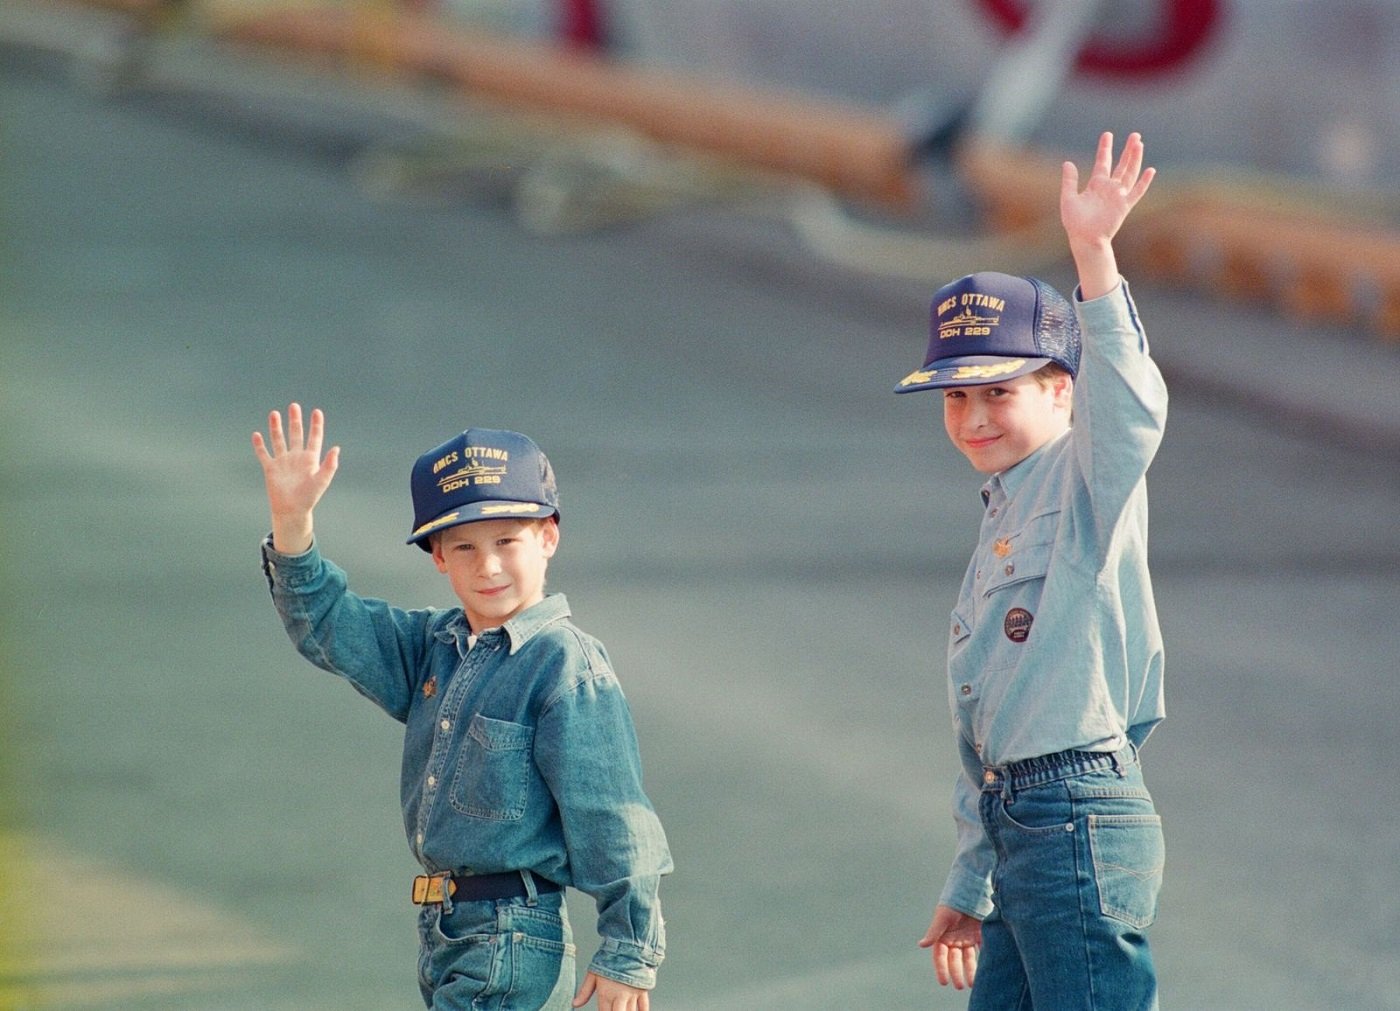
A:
x,y
484,474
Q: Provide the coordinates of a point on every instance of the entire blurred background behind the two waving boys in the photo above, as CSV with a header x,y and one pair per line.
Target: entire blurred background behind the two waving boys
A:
x,y
688,246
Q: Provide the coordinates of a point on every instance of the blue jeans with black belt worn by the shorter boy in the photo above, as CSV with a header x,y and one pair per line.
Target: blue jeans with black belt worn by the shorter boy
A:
x,y
498,956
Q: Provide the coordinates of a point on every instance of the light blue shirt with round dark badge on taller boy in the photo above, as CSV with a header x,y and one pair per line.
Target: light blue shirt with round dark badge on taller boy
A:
x,y
1055,642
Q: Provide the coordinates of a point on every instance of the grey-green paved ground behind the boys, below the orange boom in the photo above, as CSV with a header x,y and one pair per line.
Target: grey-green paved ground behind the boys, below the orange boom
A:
x,y
764,537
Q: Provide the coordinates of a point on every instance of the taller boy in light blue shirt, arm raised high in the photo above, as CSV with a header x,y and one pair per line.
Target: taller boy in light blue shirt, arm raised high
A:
x,y
1055,657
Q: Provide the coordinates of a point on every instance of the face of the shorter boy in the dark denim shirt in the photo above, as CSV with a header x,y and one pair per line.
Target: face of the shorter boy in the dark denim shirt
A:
x,y
496,566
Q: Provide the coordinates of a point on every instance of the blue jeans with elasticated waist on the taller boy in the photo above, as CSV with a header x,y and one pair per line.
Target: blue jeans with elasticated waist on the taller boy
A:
x,y
1080,856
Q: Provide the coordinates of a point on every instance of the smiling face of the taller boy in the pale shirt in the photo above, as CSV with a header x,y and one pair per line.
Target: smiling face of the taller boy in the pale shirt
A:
x,y
999,425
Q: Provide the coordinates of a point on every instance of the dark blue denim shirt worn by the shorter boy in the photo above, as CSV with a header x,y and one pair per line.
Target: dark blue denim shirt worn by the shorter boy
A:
x,y
519,748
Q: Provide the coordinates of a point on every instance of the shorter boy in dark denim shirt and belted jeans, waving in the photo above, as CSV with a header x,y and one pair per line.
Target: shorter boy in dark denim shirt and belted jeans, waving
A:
x,y
520,772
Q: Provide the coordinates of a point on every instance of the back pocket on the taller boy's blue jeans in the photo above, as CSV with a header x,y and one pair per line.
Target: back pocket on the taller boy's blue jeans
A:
x,y
1129,856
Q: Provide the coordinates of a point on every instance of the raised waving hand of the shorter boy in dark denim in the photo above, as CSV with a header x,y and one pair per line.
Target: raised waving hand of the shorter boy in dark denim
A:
x,y
296,475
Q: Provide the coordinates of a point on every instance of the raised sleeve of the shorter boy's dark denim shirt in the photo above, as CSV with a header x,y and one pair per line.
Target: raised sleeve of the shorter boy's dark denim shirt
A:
x,y
372,645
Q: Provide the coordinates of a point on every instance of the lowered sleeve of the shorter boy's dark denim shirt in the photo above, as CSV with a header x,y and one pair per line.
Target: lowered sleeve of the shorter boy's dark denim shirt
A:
x,y
587,753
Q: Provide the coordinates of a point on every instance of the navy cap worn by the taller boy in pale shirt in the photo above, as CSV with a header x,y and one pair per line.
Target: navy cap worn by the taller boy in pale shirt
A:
x,y
990,328
